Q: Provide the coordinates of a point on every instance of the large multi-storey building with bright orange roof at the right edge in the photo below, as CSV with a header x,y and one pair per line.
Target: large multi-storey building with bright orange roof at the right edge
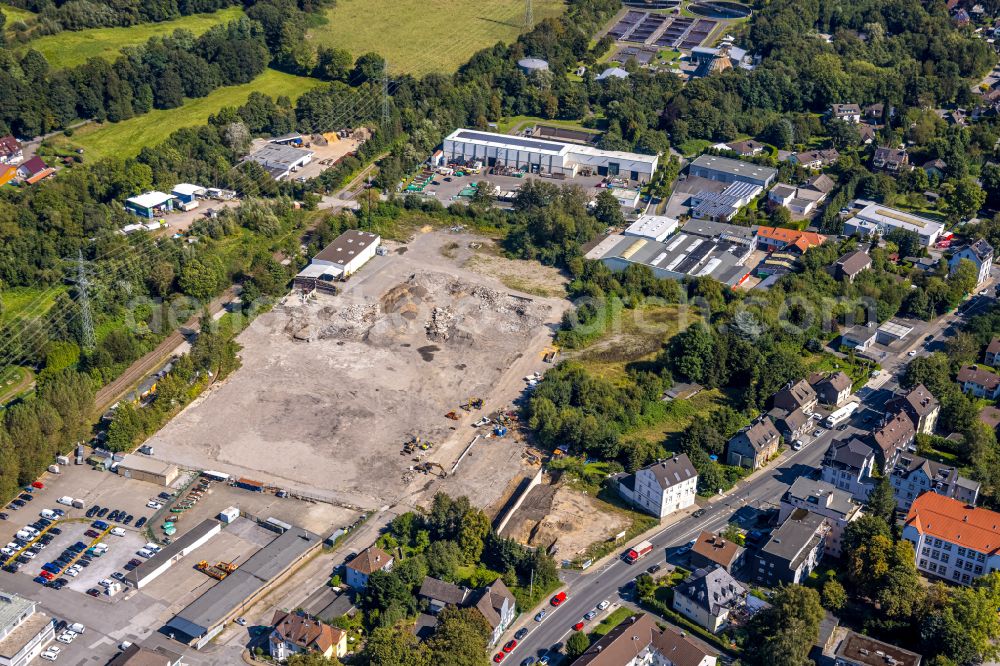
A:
x,y
952,540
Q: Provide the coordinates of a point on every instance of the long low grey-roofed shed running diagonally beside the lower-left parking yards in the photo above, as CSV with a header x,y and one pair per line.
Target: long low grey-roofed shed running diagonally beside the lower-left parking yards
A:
x,y
206,616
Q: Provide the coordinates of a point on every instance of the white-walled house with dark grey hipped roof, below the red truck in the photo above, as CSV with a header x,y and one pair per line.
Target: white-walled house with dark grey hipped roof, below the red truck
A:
x,y
708,597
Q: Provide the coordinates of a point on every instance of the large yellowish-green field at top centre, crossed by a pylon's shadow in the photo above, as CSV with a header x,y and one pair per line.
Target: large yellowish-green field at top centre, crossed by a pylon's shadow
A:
x,y
419,37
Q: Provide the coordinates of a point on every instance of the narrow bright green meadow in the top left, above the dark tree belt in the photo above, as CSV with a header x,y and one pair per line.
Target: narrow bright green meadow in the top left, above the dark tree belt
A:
x,y
70,48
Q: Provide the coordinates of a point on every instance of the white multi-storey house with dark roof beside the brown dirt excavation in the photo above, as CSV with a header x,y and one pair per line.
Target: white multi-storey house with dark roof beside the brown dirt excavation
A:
x,y
663,487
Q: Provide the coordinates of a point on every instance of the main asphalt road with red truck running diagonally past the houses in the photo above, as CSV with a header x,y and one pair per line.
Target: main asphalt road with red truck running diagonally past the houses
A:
x,y
587,589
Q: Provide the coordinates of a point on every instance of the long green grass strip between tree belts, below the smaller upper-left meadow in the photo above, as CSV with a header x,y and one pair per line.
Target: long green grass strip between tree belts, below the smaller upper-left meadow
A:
x,y
128,137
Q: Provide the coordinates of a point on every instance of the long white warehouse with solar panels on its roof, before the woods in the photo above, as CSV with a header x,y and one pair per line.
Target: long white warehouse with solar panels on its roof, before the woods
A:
x,y
543,156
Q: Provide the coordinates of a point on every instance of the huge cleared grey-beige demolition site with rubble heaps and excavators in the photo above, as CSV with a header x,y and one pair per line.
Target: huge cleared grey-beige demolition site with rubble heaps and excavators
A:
x,y
332,388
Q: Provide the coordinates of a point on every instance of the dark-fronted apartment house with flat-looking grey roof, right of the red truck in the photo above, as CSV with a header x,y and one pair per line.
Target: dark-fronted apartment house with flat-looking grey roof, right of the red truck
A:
x,y
793,550
